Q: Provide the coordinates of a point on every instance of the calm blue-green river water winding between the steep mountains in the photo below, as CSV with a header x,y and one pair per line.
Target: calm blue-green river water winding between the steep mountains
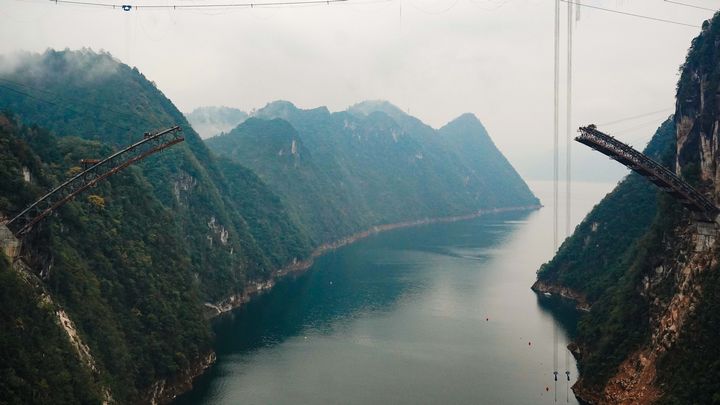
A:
x,y
438,314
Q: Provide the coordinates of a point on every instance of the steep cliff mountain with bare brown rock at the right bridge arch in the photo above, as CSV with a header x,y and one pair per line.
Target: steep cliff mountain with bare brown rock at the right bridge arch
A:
x,y
647,270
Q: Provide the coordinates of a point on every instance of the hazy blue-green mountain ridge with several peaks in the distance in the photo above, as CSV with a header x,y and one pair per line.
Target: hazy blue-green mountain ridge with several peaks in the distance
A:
x,y
341,173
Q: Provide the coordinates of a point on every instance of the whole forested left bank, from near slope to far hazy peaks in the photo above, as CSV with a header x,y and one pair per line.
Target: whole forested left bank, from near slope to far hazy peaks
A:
x,y
131,268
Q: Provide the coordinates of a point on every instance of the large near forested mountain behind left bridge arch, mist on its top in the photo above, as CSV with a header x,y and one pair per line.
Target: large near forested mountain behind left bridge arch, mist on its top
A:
x,y
133,267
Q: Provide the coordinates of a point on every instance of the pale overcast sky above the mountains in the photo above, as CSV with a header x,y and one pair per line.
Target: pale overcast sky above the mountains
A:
x,y
435,59
